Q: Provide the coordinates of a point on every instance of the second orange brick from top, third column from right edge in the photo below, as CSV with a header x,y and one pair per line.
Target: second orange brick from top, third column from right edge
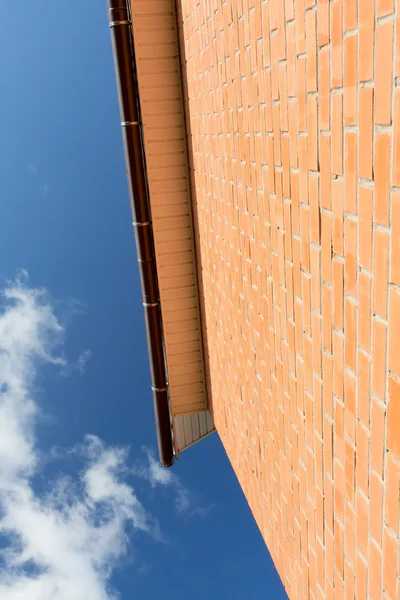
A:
x,y
366,96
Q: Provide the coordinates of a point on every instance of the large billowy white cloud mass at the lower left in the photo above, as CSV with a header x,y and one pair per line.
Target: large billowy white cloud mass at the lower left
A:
x,y
61,545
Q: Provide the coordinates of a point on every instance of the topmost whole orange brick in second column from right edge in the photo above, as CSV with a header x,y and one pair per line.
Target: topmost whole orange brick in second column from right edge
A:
x,y
384,73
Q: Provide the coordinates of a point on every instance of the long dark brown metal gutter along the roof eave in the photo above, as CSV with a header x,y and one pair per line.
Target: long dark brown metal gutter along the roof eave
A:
x,y
128,93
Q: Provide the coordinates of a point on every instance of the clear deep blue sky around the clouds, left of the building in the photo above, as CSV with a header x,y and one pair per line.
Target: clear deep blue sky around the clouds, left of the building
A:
x,y
65,218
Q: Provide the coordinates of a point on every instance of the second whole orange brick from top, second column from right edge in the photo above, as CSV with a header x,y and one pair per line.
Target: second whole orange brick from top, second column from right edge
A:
x,y
382,178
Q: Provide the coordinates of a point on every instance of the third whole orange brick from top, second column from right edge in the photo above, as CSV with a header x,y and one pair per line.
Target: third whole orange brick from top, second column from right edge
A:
x,y
381,258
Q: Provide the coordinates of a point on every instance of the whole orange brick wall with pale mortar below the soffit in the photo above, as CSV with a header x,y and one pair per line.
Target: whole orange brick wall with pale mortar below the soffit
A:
x,y
294,125
